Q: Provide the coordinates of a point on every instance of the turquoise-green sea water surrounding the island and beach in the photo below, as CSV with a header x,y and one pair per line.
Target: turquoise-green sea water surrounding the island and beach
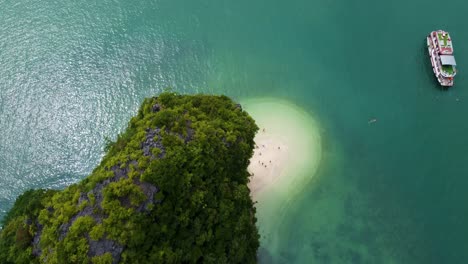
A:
x,y
394,191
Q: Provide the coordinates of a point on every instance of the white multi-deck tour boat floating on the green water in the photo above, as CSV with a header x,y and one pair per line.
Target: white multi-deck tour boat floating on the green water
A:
x,y
440,47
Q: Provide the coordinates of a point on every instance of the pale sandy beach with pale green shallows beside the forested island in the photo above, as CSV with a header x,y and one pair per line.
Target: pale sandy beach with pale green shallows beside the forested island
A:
x,y
288,149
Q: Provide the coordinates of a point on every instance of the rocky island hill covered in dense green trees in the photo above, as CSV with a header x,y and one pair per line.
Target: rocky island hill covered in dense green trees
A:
x,y
171,189
